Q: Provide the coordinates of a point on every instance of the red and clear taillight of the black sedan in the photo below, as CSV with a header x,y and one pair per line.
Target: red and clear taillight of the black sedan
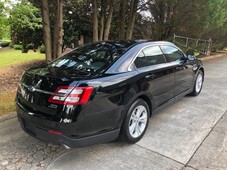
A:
x,y
71,95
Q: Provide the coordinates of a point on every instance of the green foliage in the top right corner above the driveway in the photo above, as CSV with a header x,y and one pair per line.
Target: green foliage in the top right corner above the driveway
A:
x,y
213,22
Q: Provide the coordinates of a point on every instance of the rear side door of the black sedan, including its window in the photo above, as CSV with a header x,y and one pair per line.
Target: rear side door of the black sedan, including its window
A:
x,y
153,68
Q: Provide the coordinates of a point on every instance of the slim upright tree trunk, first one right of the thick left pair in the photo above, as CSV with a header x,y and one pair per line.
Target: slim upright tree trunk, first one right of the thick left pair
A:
x,y
95,20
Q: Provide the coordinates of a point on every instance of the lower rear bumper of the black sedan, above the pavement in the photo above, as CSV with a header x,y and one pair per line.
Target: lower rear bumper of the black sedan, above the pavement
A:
x,y
30,125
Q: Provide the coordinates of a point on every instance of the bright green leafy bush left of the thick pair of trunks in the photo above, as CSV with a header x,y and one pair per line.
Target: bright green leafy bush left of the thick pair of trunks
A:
x,y
25,22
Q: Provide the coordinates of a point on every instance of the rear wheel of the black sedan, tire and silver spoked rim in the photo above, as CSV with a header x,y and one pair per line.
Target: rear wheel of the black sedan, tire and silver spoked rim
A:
x,y
136,122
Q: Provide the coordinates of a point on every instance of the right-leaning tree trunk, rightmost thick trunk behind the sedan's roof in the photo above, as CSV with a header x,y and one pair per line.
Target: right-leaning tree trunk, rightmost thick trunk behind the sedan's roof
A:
x,y
132,18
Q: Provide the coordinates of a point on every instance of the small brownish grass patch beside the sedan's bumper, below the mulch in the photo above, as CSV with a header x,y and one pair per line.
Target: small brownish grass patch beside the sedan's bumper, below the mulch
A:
x,y
7,102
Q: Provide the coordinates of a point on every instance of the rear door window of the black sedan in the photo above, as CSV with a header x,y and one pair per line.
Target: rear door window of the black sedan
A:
x,y
150,56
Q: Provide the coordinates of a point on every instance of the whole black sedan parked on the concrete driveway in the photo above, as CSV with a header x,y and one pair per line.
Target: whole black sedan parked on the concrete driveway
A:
x,y
105,90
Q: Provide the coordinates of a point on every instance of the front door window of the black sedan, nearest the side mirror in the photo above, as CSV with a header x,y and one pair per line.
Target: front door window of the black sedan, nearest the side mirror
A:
x,y
172,53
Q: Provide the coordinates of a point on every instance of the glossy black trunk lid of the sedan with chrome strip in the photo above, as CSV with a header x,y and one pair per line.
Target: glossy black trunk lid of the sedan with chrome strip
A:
x,y
38,85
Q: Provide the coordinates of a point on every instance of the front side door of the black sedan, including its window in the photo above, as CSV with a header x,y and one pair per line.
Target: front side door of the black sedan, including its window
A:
x,y
183,69
